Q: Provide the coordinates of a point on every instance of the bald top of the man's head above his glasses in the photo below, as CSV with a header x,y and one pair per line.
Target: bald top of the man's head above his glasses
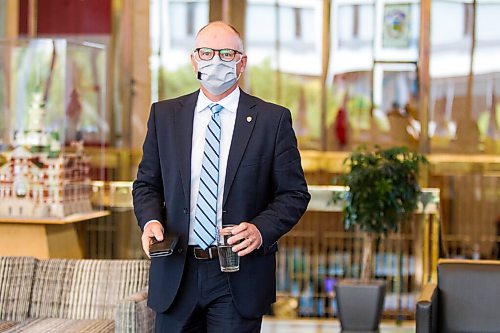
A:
x,y
219,35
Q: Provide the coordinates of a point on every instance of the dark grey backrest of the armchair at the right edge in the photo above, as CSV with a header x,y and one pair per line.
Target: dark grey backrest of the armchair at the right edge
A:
x,y
469,297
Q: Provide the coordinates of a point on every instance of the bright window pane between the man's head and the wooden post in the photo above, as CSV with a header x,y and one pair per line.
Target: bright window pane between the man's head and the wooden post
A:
x,y
284,60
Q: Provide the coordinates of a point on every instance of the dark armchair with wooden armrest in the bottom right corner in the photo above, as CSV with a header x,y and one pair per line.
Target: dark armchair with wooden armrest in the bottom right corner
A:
x,y
465,299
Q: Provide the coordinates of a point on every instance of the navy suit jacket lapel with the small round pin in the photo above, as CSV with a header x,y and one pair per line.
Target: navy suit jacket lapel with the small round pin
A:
x,y
243,127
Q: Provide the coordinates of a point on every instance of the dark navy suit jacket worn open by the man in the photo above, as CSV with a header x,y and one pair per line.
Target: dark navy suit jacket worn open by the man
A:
x,y
264,185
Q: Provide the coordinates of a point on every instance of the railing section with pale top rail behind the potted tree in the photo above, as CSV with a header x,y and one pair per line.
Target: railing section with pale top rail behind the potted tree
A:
x,y
318,252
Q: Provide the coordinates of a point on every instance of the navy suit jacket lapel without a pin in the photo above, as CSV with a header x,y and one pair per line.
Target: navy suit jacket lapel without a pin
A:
x,y
183,120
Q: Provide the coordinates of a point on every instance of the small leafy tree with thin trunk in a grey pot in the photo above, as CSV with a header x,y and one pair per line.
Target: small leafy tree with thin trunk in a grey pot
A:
x,y
383,192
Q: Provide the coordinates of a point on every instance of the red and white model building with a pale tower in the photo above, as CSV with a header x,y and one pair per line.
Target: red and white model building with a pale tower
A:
x,y
36,178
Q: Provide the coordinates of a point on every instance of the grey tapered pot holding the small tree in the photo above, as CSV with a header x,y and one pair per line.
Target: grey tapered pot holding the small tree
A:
x,y
360,305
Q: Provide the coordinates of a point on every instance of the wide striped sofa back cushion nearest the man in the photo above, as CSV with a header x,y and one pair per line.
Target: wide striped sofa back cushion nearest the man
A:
x,y
85,289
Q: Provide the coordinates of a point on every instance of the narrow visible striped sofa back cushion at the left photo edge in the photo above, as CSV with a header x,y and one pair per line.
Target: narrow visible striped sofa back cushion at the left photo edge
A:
x,y
16,278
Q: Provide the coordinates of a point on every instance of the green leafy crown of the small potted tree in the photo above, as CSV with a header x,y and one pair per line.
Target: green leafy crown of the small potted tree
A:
x,y
383,188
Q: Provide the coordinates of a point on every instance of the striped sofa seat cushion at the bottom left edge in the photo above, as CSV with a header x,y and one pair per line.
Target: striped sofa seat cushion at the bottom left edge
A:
x,y
43,325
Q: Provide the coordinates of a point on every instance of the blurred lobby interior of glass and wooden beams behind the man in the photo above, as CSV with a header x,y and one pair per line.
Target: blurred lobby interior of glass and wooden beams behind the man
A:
x,y
425,74
